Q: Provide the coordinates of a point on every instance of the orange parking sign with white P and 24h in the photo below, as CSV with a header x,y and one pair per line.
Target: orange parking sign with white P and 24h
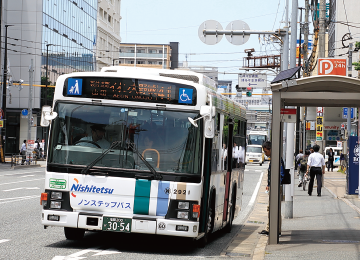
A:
x,y
331,66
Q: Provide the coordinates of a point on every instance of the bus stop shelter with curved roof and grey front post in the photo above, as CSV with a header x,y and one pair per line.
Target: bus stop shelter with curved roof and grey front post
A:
x,y
316,91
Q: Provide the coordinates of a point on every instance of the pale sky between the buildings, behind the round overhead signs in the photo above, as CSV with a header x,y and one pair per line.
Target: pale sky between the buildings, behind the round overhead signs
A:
x,y
161,22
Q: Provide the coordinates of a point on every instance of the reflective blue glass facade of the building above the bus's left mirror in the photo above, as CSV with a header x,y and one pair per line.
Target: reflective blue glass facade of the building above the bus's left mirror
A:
x,y
69,30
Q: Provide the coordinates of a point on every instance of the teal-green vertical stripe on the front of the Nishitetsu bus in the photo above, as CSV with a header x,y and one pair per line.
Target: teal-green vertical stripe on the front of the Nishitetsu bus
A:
x,y
142,197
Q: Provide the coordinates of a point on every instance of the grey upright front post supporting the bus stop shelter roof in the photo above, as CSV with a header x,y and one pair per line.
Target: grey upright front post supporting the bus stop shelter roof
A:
x,y
275,170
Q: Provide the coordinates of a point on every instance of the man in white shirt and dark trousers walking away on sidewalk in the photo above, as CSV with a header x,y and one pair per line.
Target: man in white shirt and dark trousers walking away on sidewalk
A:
x,y
316,166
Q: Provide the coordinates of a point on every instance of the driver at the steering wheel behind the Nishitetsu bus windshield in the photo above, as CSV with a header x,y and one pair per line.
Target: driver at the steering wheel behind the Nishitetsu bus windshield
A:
x,y
96,139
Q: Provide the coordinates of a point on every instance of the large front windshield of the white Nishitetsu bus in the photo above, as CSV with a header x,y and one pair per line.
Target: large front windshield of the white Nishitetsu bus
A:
x,y
165,139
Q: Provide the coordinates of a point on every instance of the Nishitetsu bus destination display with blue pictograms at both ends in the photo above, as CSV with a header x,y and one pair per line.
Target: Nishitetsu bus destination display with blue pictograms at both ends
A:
x,y
128,89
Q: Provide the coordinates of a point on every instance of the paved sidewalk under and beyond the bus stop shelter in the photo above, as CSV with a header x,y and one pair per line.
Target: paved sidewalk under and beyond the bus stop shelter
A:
x,y
325,227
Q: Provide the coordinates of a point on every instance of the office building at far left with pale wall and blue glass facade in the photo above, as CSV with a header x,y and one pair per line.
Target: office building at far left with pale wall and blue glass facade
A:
x,y
62,33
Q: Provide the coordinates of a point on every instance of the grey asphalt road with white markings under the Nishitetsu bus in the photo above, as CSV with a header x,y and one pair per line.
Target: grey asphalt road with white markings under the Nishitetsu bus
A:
x,y
23,237
